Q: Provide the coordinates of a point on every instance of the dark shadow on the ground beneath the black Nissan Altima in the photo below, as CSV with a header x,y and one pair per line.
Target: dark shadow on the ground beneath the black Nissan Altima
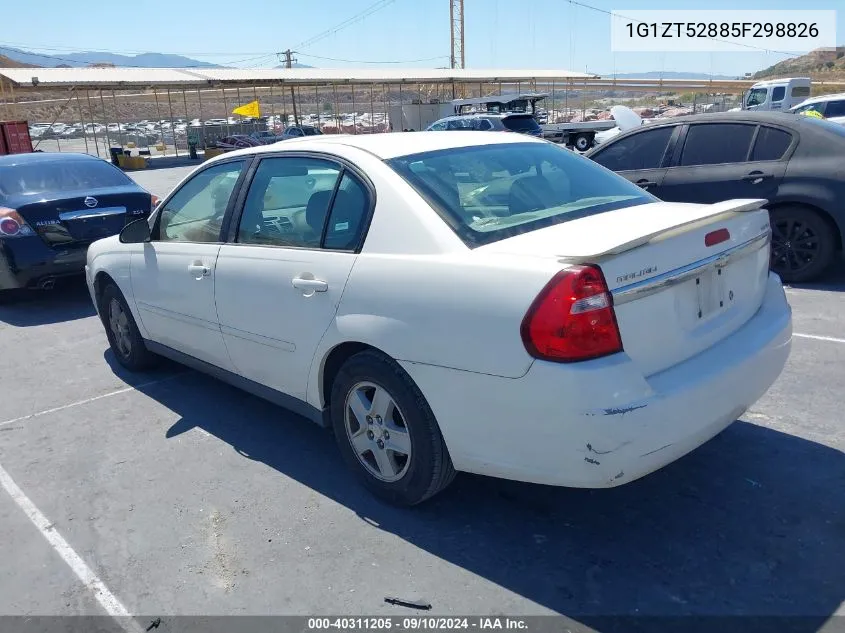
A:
x,y
67,301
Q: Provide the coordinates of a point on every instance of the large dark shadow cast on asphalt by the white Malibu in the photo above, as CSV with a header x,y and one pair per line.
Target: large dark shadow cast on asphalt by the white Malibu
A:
x,y
750,524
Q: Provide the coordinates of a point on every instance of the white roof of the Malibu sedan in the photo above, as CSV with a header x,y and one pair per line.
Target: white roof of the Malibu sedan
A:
x,y
387,145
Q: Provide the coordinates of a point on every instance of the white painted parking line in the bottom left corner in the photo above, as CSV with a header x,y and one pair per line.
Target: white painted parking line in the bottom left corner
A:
x,y
106,598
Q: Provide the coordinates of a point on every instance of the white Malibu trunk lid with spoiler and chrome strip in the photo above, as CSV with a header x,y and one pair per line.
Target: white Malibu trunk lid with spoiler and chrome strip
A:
x,y
674,295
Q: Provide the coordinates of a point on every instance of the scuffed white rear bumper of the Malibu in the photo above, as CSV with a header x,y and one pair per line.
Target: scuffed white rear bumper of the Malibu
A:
x,y
601,423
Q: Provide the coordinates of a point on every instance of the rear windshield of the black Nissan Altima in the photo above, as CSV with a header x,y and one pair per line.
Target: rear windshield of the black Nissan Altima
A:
x,y
53,176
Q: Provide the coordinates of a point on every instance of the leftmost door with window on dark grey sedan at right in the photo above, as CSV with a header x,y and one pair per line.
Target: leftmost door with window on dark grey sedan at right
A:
x,y
641,157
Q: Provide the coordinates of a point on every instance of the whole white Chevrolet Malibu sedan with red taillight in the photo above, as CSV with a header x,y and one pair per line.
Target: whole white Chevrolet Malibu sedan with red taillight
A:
x,y
474,301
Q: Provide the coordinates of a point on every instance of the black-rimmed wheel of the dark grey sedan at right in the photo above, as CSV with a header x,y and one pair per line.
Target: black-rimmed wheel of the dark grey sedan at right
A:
x,y
803,244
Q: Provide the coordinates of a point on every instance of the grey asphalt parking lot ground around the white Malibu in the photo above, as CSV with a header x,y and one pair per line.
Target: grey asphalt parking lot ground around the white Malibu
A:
x,y
183,495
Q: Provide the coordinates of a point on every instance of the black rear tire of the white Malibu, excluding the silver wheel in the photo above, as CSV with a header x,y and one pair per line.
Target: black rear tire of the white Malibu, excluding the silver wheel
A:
x,y
431,468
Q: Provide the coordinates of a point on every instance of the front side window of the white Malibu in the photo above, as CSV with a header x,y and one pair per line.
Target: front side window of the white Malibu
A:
x,y
195,212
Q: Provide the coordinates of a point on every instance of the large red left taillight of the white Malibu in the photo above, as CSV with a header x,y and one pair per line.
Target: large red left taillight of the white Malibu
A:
x,y
572,319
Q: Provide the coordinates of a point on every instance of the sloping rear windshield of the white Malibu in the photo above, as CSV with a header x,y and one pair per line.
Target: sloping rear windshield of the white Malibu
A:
x,y
490,192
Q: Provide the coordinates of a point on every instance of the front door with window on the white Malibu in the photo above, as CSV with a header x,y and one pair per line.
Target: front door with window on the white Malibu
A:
x,y
173,276
